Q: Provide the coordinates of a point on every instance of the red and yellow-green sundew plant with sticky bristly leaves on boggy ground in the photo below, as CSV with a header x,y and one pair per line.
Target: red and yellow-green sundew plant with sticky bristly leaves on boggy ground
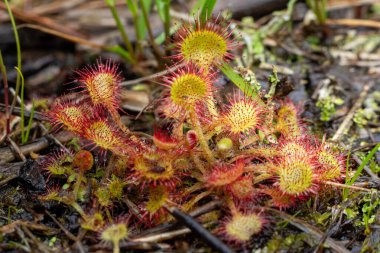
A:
x,y
248,150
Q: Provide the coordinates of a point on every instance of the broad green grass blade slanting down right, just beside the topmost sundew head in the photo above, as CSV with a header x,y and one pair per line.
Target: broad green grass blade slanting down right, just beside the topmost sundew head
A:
x,y
240,82
